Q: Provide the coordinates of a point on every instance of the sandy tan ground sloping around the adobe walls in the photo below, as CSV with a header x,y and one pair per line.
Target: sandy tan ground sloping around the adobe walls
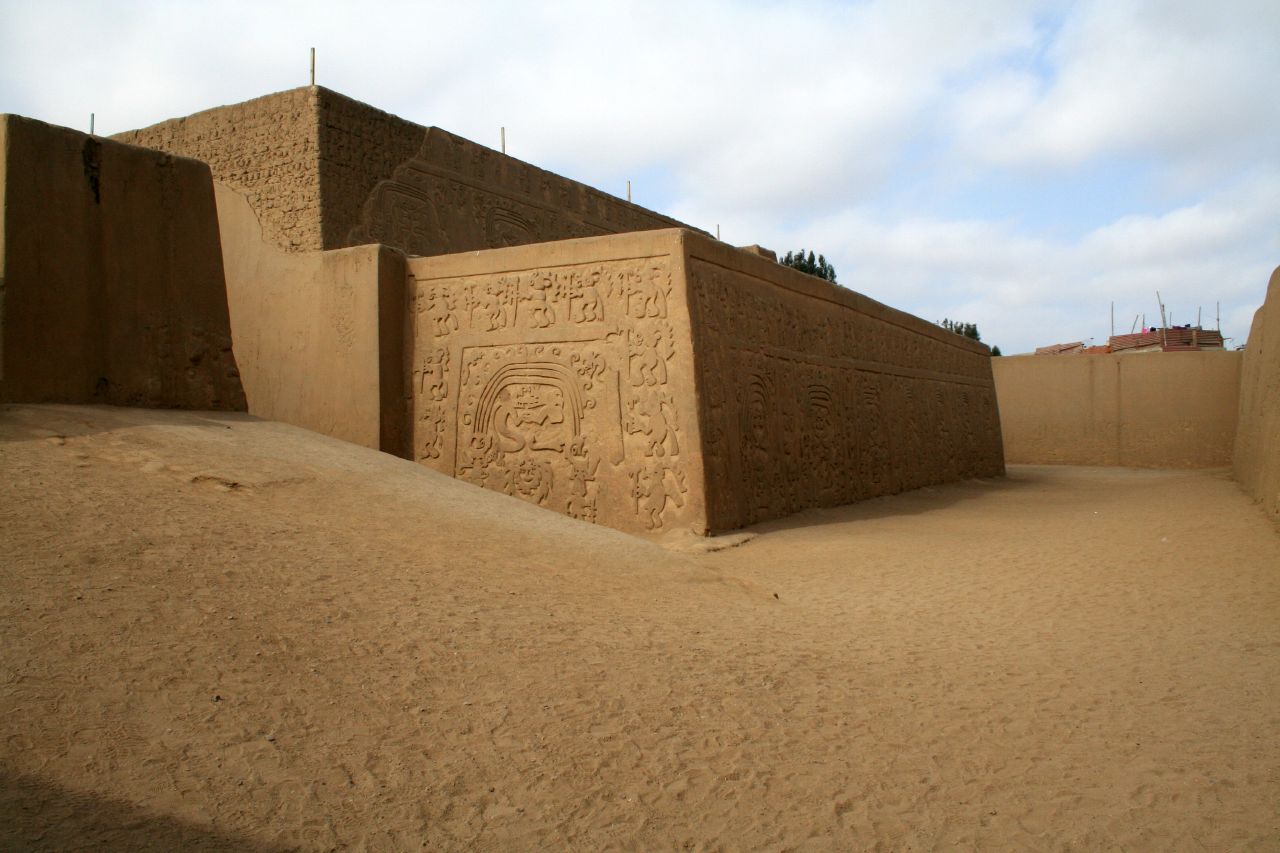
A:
x,y
220,633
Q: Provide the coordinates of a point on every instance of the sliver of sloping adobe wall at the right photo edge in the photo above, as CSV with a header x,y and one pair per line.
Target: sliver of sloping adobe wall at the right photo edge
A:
x,y
1258,440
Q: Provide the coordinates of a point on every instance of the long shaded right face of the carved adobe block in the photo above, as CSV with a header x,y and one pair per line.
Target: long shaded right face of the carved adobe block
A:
x,y
812,395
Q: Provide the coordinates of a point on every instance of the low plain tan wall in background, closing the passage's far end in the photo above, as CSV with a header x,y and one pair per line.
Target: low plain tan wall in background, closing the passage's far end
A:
x,y
1141,410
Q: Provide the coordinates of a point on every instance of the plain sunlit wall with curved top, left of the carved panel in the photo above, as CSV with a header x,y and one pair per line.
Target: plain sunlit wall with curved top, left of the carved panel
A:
x,y
319,336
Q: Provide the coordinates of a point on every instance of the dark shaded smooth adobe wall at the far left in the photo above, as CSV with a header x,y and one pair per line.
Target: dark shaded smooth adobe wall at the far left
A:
x,y
112,285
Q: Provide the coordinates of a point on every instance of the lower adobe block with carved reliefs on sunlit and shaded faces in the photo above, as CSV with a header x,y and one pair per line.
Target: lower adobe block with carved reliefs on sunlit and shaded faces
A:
x,y
665,380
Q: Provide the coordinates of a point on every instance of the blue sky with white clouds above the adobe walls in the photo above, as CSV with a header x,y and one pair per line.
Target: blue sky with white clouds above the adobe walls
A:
x,y
1016,165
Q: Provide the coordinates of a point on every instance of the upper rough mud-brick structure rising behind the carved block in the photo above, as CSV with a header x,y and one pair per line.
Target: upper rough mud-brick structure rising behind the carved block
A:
x,y
323,171
